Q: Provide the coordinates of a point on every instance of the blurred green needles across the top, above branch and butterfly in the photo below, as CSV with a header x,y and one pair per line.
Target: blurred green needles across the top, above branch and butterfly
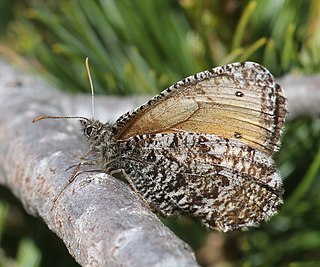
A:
x,y
144,46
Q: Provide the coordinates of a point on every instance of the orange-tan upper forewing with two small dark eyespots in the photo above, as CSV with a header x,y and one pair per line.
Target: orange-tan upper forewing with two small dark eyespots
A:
x,y
239,100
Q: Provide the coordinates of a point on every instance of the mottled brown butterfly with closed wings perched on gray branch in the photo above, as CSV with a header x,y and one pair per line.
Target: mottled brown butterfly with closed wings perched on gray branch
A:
x,y
202,147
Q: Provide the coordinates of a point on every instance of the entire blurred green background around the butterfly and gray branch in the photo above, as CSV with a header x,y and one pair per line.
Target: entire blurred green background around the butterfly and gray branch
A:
x,y
141,47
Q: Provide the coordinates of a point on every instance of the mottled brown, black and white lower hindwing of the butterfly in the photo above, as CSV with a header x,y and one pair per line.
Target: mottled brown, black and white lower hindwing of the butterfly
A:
x,y
223,183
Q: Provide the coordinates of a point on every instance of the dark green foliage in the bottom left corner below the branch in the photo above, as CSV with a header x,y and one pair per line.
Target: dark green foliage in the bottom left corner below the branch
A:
x,y
27,241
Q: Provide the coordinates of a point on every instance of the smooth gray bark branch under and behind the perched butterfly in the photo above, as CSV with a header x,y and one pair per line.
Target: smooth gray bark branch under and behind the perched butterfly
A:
x,y
99,218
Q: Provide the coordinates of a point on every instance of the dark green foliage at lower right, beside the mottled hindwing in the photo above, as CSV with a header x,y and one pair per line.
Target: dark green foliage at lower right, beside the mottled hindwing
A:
x,y
292,237
